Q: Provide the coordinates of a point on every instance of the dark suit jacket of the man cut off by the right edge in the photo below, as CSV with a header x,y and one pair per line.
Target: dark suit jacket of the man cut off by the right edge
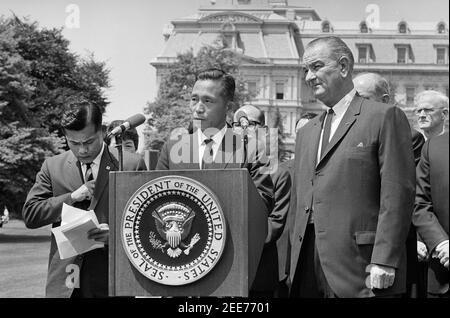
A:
x,y
431,208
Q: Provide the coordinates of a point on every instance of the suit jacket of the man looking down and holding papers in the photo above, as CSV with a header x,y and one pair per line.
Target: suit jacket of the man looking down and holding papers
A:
x,y
58,178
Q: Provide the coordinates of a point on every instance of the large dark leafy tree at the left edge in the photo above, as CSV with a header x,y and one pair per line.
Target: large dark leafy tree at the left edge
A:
x,y
38,77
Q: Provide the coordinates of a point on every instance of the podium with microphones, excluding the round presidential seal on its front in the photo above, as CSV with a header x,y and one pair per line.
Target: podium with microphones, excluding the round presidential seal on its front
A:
x,y
246,230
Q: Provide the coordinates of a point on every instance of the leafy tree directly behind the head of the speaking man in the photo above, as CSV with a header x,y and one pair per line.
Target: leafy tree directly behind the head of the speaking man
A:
x,y
171,108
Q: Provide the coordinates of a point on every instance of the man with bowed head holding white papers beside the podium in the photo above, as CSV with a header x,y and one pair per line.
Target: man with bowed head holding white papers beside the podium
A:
x,y
78,177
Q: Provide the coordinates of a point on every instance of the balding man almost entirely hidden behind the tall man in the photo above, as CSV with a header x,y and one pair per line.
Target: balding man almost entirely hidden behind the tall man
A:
x,y
374,87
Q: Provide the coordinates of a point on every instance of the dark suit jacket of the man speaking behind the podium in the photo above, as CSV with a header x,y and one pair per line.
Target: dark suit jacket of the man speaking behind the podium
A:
x,y
182,154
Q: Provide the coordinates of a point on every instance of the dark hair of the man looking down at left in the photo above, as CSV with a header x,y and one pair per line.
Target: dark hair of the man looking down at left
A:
x,y
78,115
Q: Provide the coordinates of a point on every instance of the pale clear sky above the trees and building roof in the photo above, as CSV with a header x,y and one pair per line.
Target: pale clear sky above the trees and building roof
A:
x,y
127,35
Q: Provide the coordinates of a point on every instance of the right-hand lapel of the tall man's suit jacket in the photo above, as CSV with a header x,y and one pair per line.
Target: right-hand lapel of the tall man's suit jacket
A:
x,y
347,121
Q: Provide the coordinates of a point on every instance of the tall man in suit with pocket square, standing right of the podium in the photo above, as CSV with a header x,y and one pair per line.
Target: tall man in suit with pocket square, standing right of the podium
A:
x,y
353,187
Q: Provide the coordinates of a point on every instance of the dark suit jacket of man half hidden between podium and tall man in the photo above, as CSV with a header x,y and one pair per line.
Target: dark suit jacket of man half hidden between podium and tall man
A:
x,y
273,260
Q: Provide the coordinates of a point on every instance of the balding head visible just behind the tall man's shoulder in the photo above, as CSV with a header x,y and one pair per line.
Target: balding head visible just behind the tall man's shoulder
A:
x,y
372,86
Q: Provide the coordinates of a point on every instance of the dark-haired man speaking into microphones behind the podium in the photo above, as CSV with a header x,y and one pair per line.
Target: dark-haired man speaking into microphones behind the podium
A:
x,y
212,139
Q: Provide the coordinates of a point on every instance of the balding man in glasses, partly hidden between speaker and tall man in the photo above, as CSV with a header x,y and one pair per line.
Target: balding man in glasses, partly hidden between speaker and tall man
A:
x,y
268,273
